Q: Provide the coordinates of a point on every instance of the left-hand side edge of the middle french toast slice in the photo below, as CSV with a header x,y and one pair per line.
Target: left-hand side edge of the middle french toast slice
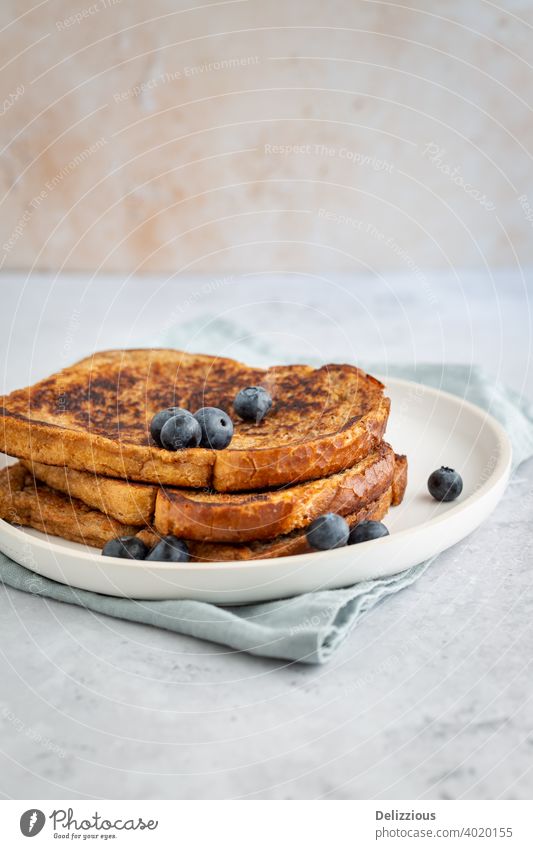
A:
x,y
128,502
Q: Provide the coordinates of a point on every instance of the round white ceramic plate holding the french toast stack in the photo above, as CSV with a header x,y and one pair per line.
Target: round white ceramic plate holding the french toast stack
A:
x,y
433,428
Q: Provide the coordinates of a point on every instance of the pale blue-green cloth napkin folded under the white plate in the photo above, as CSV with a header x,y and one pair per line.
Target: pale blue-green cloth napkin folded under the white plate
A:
x,y
307,628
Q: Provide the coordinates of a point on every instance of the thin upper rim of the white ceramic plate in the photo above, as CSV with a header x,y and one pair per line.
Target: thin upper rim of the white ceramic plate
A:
x,y
499,473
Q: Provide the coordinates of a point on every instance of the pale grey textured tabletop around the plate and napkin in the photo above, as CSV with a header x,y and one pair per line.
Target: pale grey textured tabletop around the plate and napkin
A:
x,y
430,698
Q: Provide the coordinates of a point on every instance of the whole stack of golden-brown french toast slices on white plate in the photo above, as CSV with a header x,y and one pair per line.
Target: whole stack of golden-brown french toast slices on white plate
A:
x,y
89,469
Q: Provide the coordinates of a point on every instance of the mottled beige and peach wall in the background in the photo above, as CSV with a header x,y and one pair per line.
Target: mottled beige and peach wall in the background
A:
x,y
271,136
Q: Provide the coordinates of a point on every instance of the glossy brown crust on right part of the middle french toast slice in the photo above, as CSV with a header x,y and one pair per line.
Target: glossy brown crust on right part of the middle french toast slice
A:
x,y
241,517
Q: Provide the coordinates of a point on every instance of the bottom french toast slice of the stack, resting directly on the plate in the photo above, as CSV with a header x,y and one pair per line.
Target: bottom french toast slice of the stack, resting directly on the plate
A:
x,y
25,501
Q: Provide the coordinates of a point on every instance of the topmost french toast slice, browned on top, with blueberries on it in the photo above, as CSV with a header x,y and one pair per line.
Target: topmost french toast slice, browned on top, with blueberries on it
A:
x,y
95,416
